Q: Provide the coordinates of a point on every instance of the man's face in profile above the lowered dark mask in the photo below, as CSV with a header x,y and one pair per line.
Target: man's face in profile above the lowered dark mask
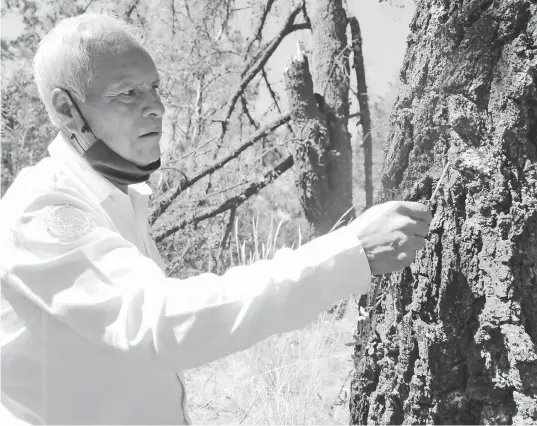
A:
x,y
123,107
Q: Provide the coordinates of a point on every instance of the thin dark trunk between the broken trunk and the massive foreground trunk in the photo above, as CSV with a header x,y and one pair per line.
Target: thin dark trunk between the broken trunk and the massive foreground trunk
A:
x,y
365,115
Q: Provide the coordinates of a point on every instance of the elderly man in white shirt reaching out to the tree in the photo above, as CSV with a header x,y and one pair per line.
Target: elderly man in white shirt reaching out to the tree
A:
x,y
93,332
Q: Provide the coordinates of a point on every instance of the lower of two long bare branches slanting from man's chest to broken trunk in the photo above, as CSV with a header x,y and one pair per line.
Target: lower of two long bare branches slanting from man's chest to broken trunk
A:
x,y
233,202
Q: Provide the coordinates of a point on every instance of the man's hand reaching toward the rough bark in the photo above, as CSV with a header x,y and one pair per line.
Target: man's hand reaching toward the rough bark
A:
x,y
391,233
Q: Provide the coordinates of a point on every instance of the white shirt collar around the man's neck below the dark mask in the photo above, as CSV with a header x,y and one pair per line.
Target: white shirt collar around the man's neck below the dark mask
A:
x,y
61,149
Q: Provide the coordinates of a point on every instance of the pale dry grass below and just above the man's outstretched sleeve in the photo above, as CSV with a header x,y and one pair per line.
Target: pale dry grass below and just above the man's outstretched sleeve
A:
x,y
300,377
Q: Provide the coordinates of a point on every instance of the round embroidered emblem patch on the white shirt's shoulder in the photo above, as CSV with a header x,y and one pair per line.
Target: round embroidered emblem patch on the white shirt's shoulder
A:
x,y
67,222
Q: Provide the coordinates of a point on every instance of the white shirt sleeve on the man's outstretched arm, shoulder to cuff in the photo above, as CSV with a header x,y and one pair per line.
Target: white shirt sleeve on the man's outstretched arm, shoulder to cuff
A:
x,y
68,263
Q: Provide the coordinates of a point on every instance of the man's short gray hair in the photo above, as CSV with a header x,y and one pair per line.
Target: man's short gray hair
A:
x,y
65,55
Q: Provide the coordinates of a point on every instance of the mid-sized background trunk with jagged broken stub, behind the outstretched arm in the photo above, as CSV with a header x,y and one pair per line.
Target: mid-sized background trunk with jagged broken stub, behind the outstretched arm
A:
x,y
322,152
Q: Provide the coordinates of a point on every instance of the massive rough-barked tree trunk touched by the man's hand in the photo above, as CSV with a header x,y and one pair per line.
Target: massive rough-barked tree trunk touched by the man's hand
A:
x,y
453,339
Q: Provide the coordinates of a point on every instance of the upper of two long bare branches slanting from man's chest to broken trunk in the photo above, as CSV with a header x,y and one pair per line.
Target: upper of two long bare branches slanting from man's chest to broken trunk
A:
x,y
162,205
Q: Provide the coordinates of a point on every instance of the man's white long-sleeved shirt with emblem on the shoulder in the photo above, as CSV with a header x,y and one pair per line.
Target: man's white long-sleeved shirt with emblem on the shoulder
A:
x,y
93,332
